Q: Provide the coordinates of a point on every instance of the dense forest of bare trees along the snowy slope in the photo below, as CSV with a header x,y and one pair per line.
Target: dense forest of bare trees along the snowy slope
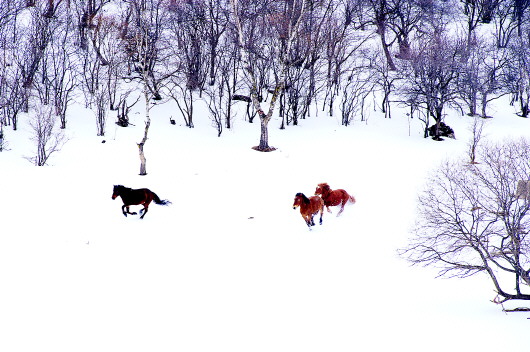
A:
x,y
288,57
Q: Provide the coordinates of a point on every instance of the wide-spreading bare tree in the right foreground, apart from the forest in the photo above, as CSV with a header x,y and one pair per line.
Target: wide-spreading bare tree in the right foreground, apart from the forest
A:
x,y
470,220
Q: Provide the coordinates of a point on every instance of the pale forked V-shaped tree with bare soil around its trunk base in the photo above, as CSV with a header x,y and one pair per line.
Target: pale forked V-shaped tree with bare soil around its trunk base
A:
x,y
285,22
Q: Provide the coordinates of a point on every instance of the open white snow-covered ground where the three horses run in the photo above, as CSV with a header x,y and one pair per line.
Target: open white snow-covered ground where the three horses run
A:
x,y
230,266
